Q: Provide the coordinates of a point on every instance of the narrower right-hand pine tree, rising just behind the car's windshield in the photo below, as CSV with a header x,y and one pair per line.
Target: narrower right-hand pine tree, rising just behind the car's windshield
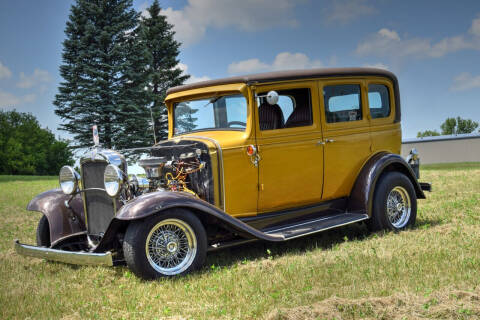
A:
x,y
157,36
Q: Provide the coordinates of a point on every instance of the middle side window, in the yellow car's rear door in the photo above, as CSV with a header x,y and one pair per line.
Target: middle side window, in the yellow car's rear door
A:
x,y
342,103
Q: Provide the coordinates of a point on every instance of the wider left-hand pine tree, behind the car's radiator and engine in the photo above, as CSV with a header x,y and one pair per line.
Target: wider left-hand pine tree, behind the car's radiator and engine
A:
x,y
97,71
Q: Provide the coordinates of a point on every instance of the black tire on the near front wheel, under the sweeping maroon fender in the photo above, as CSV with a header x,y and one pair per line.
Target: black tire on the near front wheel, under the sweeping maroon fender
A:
x,y
138,232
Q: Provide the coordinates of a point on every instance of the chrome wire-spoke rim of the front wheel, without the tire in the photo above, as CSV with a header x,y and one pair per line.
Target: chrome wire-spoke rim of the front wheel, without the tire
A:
x,y
171,246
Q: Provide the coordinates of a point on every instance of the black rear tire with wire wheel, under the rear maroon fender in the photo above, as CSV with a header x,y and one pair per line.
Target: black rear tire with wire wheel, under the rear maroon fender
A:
x,y
396,183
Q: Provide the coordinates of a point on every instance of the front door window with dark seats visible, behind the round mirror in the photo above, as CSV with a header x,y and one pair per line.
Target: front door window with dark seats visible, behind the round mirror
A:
x,y
294,109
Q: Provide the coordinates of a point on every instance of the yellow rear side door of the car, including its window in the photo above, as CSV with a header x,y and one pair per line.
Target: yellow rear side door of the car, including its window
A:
x,y
346,134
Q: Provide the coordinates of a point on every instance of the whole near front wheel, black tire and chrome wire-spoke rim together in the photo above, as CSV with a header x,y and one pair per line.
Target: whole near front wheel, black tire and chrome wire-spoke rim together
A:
x,y
167,244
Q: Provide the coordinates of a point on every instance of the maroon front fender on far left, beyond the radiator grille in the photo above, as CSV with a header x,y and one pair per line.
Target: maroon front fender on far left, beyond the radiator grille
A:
x,y
63,221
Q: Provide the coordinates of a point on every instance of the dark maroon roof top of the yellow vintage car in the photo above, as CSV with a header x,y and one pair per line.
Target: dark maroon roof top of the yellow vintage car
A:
x,y
289,75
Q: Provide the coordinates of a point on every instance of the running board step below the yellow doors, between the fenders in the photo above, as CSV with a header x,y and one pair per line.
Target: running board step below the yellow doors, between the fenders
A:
x,y
317,225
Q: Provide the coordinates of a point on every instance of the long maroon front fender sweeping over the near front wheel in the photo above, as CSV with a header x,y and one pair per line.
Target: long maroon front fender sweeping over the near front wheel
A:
x,y
153,203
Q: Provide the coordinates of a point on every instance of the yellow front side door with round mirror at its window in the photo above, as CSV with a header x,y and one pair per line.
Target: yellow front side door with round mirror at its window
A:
x,y
289,145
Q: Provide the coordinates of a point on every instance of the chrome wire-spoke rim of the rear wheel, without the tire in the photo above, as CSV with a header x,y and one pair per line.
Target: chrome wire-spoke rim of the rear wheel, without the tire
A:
x,y
398,207
